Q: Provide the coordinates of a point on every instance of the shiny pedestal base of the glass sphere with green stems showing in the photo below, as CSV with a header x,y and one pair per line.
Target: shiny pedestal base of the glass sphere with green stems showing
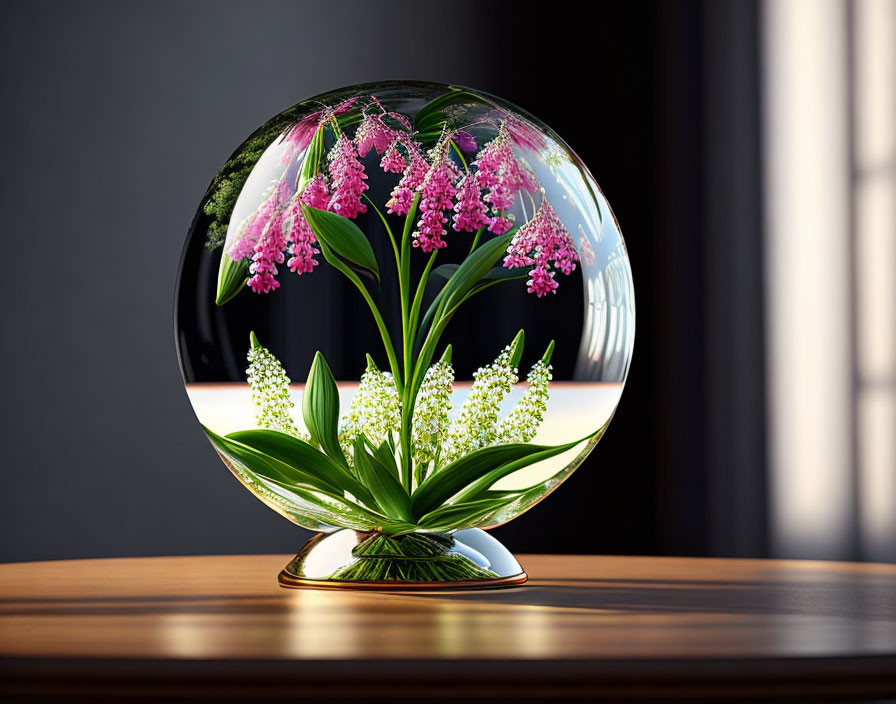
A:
x,y
346,559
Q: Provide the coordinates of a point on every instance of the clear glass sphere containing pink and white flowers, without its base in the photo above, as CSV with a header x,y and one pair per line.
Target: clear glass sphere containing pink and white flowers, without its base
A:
x,y
404,307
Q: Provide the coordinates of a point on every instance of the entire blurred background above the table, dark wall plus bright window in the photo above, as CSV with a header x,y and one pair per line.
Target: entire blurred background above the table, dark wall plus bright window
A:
x,y
749,152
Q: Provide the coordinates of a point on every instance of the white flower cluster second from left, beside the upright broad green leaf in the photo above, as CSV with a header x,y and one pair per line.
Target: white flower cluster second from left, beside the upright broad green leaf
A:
x,y
375,408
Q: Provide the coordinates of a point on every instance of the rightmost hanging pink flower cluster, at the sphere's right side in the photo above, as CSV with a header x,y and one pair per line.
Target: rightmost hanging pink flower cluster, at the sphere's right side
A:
x,y
543,242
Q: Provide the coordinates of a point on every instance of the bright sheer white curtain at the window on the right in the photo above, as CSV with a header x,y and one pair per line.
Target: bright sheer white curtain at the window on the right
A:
x,y
829,148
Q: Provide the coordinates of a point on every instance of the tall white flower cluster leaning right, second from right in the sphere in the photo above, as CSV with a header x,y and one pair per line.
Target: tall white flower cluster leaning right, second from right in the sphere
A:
x,y
476,426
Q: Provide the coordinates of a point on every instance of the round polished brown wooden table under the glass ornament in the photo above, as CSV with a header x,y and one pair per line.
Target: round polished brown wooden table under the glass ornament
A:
x,y
583,627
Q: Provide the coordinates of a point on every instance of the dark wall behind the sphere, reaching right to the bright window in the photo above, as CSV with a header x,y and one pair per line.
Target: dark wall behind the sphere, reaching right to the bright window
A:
x,y
116,116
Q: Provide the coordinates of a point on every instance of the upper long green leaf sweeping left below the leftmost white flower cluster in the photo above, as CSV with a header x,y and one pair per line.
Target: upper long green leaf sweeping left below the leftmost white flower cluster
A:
x,y
302,457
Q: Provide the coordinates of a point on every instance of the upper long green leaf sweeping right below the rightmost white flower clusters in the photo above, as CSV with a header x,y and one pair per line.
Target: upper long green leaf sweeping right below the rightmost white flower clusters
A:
x,y
488,462
